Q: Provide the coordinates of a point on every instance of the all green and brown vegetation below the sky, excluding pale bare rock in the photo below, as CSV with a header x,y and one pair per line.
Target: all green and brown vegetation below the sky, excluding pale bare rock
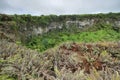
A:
x,y
60,54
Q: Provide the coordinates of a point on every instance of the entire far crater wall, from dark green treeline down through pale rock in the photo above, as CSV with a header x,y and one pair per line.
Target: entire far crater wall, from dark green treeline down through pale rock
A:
x,y
22,26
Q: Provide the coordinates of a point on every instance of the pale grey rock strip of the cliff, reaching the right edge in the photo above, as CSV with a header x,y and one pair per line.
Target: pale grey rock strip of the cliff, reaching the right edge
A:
x,y
83,24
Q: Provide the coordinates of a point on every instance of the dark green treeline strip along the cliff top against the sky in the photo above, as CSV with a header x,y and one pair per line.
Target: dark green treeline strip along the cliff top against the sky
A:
x,y
43,20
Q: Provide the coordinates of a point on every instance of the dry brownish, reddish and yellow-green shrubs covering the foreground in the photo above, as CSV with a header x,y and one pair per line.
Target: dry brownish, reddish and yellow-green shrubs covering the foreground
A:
x,y
68,62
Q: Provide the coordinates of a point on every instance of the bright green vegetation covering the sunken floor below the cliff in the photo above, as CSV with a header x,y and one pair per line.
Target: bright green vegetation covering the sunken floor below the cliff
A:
x,y
46,41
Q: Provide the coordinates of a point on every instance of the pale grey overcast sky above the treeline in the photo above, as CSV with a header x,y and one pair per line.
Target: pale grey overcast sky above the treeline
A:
x,y
46,7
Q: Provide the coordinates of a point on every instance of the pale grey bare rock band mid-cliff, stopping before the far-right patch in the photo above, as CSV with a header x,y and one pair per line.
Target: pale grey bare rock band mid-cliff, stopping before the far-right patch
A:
x,y
68,24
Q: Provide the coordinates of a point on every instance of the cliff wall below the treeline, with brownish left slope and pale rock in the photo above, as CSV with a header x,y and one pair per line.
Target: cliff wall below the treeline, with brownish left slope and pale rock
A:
x,y
26,29
